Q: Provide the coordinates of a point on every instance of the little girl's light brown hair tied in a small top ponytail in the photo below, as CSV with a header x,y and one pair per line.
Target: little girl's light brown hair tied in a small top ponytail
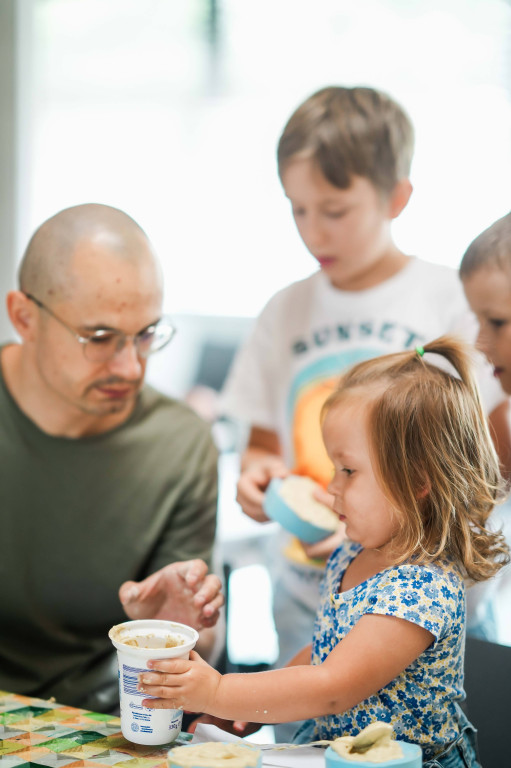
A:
x,y
432,453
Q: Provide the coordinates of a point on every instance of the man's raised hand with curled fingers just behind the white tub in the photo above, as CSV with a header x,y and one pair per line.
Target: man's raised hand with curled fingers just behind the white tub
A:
x,y
182,592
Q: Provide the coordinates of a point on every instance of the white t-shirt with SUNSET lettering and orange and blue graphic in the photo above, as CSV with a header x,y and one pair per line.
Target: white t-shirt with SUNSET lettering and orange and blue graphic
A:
x,y
310,332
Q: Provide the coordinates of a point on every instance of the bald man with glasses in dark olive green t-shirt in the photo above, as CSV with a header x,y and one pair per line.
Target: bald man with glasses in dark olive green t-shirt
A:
x,y
108,489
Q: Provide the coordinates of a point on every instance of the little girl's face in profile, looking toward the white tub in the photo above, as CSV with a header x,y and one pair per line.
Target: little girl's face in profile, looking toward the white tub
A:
x,y
359,500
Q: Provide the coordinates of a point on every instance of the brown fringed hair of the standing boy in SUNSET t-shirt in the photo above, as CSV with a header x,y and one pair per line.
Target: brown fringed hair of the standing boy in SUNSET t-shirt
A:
x,y
350,132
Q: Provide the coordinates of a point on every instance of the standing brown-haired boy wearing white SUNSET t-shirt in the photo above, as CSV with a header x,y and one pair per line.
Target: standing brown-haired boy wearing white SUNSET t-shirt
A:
x,y
344,162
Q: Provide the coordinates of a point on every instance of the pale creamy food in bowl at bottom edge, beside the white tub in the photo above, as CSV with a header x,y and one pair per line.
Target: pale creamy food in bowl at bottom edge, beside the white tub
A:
x,y
214,754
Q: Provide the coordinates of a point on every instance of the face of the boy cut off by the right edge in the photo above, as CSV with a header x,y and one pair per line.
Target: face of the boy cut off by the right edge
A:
x,y
488,291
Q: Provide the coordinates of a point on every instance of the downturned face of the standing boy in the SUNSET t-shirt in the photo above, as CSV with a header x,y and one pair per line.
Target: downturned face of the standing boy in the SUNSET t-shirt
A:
x,y
346,230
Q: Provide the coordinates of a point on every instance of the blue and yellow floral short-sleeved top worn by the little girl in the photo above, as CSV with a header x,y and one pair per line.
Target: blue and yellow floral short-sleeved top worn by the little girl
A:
x,y
421,703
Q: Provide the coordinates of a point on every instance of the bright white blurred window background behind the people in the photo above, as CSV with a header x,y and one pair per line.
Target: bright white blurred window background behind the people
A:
x,y
171,110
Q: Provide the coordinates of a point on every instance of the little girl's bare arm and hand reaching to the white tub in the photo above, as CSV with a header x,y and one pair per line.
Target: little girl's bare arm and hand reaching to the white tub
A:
x,y
371,655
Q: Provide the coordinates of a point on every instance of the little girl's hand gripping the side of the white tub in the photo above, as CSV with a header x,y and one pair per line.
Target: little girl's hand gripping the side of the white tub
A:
x,y
180,683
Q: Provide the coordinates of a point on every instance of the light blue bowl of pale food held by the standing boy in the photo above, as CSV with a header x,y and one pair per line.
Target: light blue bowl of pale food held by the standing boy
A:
x,y
290,502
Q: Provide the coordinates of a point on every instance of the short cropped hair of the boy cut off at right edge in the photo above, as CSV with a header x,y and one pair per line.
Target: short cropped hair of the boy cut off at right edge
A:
x,y
492,248
